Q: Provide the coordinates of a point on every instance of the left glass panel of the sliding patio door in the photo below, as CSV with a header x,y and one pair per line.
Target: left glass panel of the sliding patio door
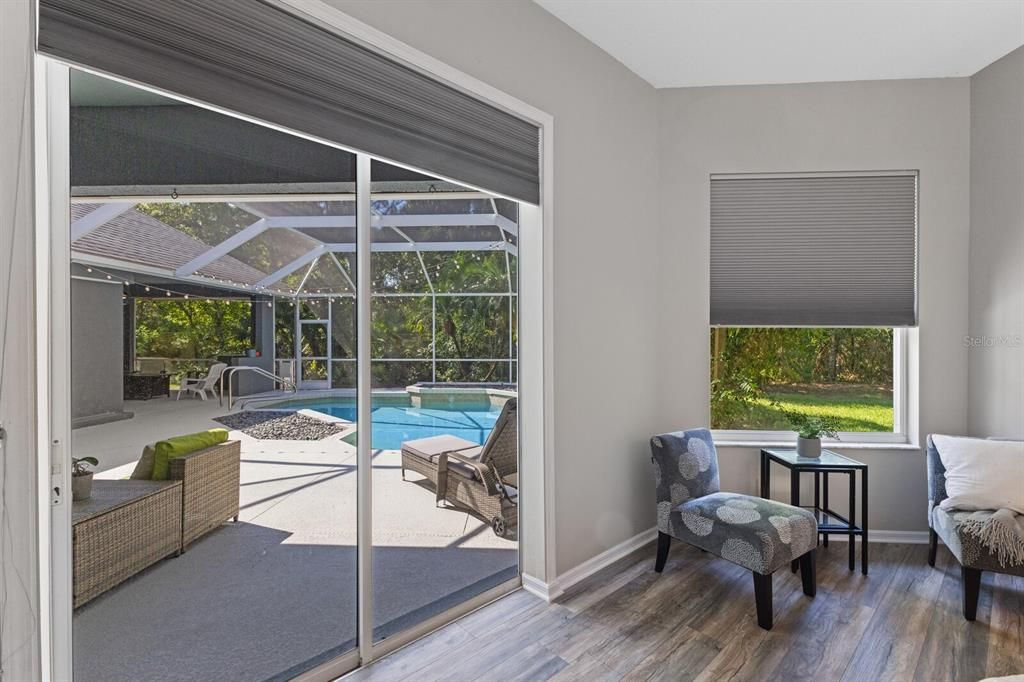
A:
x,y
219,540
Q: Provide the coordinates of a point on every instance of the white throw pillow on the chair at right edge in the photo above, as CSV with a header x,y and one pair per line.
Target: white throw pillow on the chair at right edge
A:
x,y
983,475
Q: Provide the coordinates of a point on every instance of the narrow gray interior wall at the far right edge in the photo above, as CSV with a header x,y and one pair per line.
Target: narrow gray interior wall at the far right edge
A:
x,y
996,396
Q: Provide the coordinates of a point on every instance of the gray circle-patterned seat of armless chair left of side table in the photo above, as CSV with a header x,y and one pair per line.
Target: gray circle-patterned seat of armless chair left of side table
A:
x,y
757,534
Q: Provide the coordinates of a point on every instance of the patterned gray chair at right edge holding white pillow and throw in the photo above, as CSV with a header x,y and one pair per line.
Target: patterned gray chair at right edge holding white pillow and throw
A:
x,y
972,556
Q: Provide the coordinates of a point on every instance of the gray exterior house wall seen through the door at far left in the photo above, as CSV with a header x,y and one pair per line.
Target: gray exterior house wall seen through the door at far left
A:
x,y
97,352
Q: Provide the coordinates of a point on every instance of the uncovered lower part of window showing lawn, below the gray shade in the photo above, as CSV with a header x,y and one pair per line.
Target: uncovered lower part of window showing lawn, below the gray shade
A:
x,y
852,374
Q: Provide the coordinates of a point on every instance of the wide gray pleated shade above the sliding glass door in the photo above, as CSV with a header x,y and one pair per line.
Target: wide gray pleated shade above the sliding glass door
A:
x,y
259,60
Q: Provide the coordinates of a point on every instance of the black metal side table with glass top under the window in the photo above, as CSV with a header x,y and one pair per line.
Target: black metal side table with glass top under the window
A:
x,y
829,522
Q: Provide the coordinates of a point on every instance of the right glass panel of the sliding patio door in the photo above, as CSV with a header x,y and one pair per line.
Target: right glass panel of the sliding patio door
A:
x,y
443,345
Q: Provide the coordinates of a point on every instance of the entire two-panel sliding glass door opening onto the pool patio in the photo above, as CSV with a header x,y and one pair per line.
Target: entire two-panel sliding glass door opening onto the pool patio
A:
x,y
294,386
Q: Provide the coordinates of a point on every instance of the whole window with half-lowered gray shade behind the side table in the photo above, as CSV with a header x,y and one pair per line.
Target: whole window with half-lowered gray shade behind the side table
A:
x,y
814,283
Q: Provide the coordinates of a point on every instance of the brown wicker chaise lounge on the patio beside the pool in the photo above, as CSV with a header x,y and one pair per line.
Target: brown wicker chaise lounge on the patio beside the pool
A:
x,y
482,479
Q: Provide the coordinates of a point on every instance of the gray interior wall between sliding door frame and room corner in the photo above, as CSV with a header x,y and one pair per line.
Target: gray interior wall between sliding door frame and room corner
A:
x,y
606,251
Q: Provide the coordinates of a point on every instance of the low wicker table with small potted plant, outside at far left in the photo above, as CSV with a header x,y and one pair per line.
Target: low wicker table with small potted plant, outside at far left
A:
x,y
124,528
